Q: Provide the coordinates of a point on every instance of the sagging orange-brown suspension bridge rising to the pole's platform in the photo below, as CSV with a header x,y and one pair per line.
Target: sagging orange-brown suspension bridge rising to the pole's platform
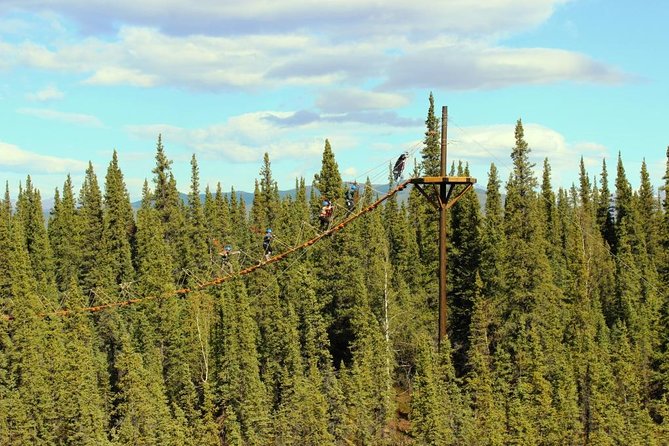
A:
x,y
219,280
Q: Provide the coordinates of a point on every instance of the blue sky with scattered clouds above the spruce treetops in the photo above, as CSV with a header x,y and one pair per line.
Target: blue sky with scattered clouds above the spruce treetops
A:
x,y
229,81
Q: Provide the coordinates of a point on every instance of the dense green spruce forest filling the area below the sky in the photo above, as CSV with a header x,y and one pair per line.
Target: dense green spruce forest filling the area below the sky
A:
x,y
558,312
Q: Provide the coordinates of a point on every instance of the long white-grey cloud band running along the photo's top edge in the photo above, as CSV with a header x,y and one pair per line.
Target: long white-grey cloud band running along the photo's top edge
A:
x,y
341,18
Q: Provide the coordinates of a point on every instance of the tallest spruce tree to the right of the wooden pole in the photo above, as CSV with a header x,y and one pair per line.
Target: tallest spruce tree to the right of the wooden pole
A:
x,y
531,320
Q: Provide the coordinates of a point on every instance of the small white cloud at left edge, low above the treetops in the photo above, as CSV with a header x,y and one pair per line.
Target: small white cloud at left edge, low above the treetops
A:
x,y
15,159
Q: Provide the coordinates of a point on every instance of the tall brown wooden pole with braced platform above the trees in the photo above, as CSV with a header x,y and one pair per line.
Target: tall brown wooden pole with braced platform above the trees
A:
x,y
442,200
